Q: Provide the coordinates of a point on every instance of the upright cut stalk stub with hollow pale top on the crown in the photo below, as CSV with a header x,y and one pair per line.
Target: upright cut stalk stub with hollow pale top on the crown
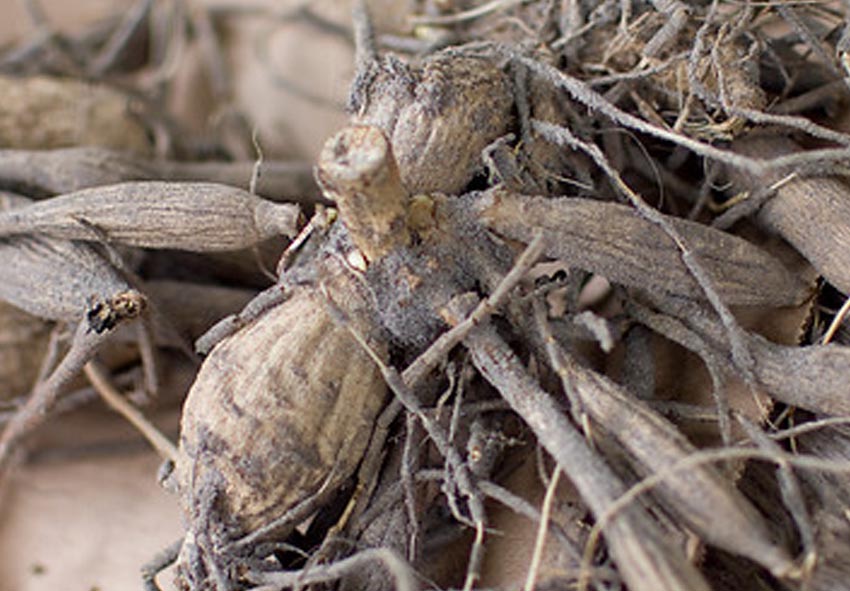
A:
x,y
357,169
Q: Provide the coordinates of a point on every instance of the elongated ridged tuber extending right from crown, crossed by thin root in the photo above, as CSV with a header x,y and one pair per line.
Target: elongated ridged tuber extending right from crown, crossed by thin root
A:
x,y
614,241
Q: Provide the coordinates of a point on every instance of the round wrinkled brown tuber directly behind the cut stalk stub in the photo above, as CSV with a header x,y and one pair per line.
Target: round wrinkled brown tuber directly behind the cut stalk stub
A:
x,y
439,117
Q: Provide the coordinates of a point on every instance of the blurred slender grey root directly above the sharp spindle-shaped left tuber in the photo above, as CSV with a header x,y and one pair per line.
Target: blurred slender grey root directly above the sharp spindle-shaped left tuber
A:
x,y
65,170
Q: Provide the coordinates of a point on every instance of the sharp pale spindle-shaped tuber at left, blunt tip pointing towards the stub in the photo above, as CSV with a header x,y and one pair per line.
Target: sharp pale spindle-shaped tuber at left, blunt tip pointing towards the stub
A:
x,y
200,217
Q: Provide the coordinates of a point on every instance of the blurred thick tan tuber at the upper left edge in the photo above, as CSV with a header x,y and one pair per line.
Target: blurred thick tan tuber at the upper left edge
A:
x,y
42,113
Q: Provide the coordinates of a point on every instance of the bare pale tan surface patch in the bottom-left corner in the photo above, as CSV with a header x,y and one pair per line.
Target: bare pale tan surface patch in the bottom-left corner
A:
x,y
85,513
